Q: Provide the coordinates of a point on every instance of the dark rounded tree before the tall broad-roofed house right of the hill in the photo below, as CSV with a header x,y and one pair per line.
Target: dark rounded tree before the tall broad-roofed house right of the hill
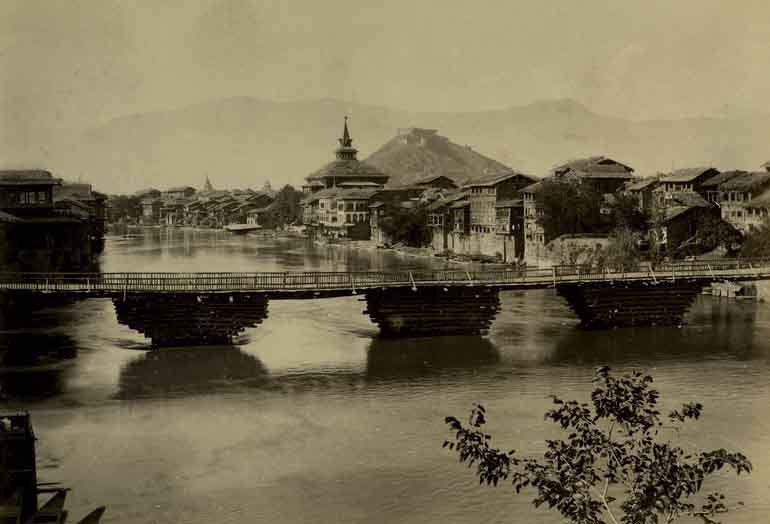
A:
x,y
569,208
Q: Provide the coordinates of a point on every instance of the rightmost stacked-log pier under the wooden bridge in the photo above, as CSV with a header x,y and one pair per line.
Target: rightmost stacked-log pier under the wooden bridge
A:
x,y
633,303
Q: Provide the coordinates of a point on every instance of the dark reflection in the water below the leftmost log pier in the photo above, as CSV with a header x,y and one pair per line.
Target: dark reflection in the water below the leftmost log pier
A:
x,y
188,370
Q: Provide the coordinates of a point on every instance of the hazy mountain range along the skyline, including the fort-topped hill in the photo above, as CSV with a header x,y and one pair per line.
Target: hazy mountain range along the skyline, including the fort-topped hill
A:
x,y
243,141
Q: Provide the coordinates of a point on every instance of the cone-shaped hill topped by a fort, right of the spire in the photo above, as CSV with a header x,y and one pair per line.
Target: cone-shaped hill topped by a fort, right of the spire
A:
x,y
416,153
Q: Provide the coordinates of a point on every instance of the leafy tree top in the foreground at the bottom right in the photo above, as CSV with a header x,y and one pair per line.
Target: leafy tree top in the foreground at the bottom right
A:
x,y
612,446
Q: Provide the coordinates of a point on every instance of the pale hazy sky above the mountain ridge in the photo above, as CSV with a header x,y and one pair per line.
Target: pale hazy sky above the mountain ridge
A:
x,y
81,62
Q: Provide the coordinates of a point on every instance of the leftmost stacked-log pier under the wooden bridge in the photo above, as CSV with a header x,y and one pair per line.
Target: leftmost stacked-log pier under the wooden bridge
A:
x,y
184,319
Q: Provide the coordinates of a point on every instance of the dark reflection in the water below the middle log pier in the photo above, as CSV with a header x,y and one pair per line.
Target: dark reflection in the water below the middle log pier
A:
x,y
423,356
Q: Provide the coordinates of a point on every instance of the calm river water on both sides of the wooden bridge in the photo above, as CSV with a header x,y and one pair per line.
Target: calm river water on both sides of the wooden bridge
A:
x,y
311,418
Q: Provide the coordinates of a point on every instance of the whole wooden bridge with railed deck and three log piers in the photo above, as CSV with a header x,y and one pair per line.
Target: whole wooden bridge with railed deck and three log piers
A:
x,y
181,308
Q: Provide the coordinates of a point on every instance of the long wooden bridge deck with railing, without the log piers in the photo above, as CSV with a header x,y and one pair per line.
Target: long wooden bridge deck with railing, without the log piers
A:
x,y
312,284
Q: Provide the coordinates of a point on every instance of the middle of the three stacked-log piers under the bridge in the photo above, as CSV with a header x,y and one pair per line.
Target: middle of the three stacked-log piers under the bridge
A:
x,y
433,311
